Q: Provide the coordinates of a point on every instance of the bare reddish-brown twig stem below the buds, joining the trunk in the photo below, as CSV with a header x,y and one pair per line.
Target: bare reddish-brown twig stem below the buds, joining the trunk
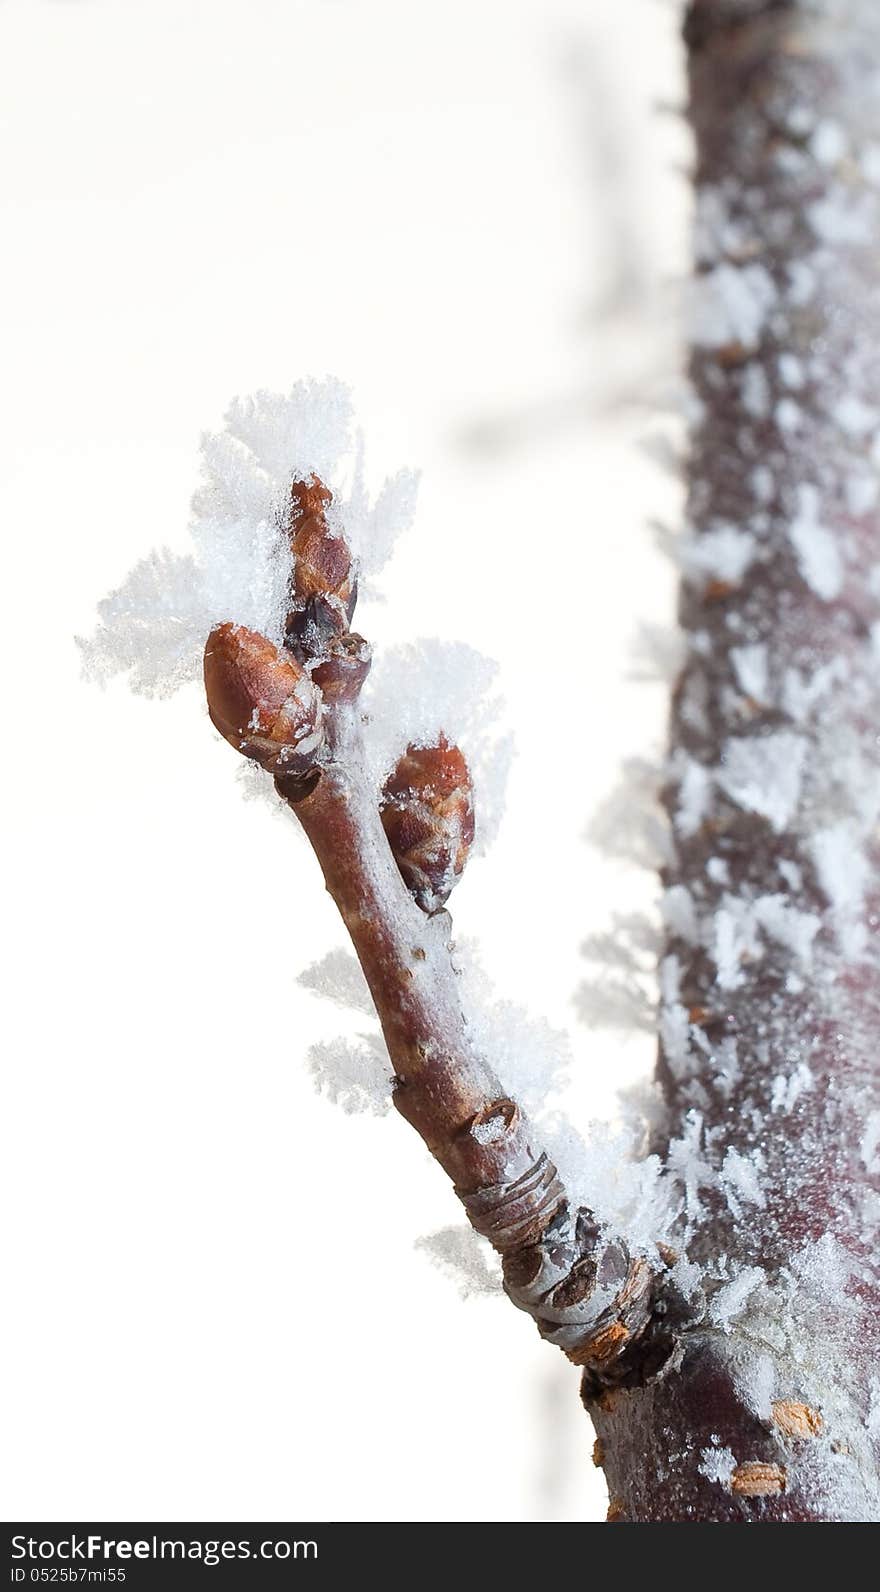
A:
x,y
586,1293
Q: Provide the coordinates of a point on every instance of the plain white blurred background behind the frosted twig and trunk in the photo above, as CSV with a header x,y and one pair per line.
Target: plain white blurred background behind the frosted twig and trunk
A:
x,y
475,213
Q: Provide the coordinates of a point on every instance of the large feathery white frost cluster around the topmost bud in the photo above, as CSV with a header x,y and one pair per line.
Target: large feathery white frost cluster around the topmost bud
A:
x,y
154,626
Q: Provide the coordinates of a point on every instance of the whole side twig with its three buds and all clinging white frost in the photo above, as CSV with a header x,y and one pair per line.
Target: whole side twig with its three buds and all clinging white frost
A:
x,y
389,773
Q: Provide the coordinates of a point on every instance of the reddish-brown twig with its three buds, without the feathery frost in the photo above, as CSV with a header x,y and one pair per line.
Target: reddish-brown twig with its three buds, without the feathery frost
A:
x,y
389,862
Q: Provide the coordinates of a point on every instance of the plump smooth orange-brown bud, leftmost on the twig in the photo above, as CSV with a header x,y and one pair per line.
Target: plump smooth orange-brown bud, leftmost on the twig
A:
x,y
262,701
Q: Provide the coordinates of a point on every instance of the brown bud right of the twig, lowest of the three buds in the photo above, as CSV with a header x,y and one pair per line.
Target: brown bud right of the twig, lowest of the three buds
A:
x,y
429,817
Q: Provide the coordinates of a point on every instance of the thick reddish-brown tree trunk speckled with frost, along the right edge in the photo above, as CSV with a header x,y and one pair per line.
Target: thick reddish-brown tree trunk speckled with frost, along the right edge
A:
x,y
769,1075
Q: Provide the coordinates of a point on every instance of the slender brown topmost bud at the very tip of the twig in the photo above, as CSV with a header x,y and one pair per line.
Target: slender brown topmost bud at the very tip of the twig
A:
x,y
324,580
